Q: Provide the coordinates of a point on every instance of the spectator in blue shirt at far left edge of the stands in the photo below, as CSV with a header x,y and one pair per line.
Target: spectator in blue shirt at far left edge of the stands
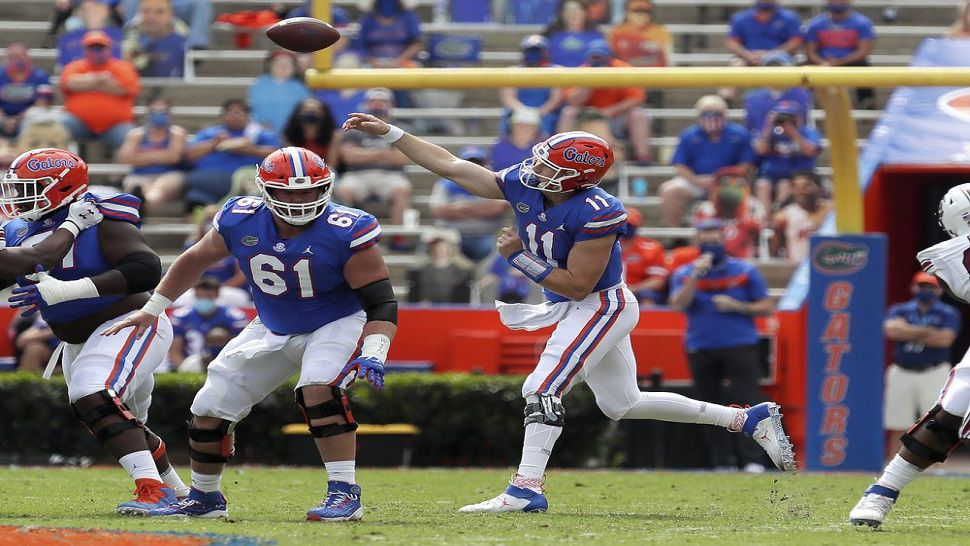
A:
x,y
19,80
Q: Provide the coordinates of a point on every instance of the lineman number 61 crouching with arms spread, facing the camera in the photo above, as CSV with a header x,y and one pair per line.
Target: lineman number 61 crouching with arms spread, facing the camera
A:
x,y
319,284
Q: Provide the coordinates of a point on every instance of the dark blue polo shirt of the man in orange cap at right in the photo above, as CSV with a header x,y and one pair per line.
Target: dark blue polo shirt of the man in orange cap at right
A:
x,y
916,356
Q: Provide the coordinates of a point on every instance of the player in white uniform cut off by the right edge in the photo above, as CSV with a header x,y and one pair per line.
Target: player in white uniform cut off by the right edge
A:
x,y
947,424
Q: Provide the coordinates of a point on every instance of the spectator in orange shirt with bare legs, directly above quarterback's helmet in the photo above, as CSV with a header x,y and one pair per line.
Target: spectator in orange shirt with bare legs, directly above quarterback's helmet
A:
x,y
628,120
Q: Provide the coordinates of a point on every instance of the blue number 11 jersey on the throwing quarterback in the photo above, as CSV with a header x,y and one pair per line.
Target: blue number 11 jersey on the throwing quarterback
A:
x,y
551,233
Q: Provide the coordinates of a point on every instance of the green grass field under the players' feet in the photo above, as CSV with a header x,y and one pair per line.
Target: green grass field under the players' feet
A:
x,y
419,507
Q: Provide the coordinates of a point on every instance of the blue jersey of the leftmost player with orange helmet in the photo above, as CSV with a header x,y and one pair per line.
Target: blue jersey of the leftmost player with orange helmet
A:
x,y
83,260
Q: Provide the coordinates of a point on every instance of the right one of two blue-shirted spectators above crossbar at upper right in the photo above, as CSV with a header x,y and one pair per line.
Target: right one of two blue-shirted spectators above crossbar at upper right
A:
x,y
842,37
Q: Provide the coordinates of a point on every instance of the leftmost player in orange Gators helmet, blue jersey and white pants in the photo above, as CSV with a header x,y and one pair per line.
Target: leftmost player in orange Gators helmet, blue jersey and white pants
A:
x,y
105,274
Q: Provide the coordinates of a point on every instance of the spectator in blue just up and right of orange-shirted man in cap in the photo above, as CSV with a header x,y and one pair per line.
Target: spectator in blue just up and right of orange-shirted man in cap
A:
x,y
155,41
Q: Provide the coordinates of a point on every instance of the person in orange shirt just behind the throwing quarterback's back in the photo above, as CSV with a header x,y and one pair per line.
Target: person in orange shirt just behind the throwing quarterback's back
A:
x,y
644,263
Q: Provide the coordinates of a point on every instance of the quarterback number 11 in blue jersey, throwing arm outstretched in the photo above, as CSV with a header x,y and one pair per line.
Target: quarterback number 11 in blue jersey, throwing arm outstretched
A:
x,y
570,228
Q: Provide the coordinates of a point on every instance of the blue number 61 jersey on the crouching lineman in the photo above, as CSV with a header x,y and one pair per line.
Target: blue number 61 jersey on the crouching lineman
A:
x,y
297,284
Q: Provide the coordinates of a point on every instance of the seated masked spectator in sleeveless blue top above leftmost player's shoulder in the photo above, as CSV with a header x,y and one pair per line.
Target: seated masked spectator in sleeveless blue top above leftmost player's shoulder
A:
x,y
154,151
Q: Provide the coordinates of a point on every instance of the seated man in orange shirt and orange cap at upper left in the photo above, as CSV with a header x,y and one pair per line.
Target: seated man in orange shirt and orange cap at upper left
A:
x,y
99,93
